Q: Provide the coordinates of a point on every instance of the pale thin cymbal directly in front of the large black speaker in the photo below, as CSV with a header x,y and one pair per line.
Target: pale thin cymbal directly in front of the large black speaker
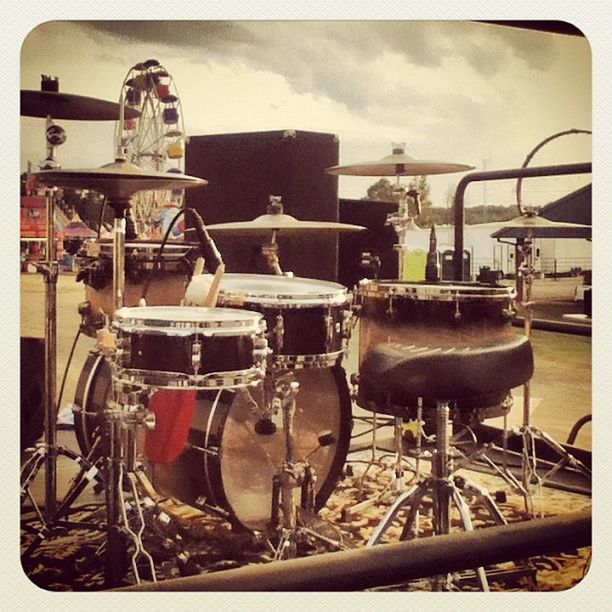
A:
x,y
283,223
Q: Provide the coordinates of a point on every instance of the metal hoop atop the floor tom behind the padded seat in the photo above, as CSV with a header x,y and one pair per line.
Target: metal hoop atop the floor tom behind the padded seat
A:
x,y
441,293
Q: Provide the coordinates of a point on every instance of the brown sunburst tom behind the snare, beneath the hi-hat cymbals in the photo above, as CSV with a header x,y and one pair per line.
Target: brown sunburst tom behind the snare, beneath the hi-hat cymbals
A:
x,y
168,282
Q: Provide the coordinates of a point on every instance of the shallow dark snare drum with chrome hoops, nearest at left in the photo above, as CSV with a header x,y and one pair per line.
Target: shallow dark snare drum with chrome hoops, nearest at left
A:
x,y
188,347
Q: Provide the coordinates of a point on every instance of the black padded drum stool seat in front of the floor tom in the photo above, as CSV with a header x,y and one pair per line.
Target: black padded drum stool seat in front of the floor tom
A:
x,y
393,373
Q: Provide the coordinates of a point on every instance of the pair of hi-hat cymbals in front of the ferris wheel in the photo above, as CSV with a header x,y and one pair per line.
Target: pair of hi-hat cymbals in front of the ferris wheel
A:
x,y
119,180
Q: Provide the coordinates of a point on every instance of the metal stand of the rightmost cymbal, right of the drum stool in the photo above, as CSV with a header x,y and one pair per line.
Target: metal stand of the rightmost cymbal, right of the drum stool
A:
x,y
528,432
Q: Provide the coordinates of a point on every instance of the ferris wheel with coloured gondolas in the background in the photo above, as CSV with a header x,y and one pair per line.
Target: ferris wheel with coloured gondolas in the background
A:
x,y
155,140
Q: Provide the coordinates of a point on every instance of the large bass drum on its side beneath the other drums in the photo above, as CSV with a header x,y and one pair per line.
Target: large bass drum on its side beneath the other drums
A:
x,y
226,464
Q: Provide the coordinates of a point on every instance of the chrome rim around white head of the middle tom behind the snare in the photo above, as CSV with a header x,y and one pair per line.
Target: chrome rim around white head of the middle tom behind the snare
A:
x,y
337,294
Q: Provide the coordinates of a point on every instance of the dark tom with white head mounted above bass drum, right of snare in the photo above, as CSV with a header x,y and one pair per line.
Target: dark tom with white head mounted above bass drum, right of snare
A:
x,y
307,320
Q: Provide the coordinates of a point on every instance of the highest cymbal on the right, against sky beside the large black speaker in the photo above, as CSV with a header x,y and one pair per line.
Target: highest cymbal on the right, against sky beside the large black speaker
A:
x,y
399,164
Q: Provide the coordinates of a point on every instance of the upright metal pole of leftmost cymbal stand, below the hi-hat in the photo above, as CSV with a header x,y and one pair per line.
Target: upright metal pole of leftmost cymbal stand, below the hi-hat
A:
x,y
50,272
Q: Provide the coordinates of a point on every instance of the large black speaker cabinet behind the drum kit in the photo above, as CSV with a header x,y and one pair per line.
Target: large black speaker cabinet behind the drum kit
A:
x,y
243,170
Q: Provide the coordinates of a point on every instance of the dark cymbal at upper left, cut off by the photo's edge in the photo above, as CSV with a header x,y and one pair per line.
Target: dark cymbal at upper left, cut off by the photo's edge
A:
x,y
60,105
